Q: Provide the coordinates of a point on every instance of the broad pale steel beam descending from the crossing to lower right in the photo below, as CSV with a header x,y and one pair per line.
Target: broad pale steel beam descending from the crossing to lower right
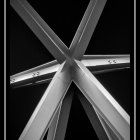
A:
x,y
106,105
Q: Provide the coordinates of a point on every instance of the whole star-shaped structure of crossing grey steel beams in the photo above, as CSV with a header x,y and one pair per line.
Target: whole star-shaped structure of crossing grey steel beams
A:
x,y
71,65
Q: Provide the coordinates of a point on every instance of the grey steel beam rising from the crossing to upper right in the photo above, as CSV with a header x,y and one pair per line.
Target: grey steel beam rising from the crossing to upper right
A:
x,y
86,28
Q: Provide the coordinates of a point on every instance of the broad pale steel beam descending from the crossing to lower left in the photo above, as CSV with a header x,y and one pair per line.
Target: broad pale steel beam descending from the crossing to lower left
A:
x,y
48,105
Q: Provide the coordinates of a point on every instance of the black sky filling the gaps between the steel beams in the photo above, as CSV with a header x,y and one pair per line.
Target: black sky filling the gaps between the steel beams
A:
x,y
111,36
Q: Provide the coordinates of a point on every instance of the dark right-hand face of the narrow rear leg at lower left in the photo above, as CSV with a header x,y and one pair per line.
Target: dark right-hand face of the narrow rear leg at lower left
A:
x,y
64,116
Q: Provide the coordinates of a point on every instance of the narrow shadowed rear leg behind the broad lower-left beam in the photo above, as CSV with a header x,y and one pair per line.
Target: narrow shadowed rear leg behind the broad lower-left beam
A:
x,y
58,125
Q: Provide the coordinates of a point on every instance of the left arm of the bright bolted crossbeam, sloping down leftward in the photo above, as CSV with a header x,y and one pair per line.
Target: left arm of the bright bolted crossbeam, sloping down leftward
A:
x,y
34,75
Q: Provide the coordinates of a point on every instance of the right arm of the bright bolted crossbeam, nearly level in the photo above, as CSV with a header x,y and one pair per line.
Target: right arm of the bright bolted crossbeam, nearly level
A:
x,y
105,63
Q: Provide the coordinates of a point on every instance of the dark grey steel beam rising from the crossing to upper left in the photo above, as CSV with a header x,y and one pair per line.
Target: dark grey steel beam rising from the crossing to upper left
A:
x,y
45,34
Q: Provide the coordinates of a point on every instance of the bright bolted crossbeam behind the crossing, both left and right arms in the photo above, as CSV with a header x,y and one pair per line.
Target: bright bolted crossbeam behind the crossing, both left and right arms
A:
x,y
95,63
